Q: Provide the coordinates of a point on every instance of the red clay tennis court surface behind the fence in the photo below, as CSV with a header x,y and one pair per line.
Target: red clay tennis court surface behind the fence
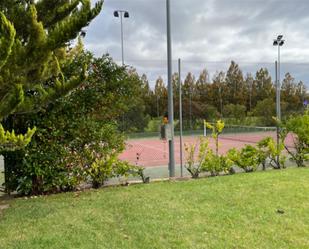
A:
x,y
150,152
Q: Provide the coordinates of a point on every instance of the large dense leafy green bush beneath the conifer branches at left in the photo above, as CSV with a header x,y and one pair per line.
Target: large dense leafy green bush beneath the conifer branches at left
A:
x,y
71,142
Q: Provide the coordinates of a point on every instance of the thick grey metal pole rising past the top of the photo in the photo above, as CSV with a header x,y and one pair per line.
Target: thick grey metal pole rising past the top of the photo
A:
x,y
170,92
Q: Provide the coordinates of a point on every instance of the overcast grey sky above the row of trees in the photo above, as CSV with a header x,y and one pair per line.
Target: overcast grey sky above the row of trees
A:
x,y
205,34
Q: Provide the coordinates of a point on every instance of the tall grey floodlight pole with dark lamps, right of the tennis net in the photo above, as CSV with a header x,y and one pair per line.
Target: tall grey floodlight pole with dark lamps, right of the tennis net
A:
x,y
278,42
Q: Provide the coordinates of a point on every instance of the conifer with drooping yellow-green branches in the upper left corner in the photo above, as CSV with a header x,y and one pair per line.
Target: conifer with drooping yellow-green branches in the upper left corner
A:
x,y
30,75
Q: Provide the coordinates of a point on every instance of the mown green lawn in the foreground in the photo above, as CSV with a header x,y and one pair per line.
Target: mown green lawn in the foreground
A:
x,y
238,211
